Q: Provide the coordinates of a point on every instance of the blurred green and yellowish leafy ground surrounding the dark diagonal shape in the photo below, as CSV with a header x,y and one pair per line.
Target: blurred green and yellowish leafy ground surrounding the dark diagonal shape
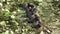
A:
x,y
13,19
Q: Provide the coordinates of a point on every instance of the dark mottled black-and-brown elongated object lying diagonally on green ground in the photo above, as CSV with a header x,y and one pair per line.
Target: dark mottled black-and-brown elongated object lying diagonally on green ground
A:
x,y
33,16
